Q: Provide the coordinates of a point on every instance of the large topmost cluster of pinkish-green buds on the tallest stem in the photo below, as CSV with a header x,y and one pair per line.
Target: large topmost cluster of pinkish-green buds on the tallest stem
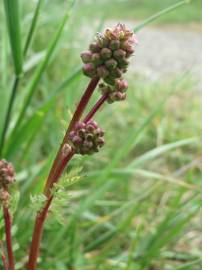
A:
x,y
108,58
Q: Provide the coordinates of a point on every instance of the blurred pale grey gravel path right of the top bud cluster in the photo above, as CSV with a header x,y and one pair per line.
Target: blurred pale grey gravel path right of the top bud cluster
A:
x,y
169,51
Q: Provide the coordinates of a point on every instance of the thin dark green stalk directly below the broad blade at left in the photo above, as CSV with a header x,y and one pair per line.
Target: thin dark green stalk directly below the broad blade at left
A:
x,y
8,113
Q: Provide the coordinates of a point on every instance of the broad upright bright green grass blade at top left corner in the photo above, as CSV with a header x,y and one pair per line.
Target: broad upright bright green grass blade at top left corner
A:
x,y
13,24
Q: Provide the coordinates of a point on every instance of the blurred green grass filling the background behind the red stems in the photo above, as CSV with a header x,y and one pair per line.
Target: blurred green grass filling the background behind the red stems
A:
x,y
138,205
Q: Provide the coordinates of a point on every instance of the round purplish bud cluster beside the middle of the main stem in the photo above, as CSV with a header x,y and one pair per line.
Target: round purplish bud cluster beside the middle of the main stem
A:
x,y
86,138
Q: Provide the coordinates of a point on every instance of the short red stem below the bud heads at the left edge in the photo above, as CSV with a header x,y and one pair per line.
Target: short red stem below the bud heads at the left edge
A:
x,y
8,224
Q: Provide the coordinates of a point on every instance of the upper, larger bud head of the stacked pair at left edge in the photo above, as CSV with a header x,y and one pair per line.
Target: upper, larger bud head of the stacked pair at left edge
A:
x,y
7,173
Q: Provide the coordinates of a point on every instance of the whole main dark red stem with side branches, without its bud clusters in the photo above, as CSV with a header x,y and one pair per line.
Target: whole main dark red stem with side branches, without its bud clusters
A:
x,y
56,171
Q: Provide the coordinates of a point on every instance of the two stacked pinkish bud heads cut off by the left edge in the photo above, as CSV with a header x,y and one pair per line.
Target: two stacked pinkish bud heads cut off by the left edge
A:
x,y
7,176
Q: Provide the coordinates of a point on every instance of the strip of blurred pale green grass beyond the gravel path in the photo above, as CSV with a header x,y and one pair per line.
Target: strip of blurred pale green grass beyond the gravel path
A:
x,y
140,9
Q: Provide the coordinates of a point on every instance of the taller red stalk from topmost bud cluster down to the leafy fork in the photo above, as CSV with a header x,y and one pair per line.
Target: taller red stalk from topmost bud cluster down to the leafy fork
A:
x,y
76,117
